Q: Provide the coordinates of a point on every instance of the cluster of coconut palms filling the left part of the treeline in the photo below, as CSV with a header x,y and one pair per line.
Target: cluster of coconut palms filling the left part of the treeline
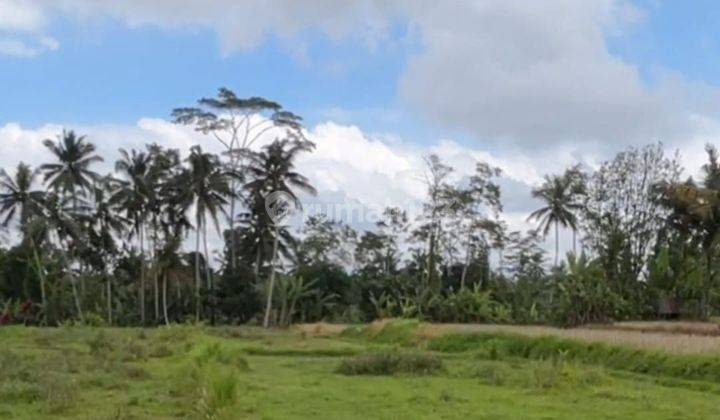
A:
x,y
147,206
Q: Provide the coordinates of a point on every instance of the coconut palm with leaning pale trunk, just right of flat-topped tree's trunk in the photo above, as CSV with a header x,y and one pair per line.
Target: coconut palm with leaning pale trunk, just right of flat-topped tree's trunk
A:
x,y
272,170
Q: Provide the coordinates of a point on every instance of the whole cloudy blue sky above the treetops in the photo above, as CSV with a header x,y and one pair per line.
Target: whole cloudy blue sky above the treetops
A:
x,y
531,87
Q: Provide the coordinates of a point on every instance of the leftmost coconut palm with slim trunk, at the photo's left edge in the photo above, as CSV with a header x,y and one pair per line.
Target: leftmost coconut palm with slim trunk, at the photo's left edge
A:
x,y
17,198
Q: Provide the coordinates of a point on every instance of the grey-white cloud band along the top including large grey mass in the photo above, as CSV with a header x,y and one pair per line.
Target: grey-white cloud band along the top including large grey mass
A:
x,y
507,72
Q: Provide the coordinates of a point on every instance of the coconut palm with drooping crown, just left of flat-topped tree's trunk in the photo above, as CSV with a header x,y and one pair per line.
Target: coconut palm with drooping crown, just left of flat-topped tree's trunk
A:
x,y
204,186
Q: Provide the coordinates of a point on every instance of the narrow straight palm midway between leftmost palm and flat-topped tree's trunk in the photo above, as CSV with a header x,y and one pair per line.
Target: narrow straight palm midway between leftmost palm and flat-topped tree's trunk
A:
x,y
131,197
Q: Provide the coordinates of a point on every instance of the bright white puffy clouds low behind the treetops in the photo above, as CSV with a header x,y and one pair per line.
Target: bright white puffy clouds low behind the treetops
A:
x,y
348,165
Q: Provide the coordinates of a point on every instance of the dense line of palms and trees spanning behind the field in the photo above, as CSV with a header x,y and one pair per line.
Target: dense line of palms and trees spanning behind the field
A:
x,y
85,247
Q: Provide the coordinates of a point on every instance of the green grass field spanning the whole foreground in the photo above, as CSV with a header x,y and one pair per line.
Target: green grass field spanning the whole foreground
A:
x,y
389,370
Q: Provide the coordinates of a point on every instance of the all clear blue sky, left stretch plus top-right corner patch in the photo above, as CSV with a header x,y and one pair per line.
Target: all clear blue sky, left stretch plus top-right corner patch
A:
x,y
106,71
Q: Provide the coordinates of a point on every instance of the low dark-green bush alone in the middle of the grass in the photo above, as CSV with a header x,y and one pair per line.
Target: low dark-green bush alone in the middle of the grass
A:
x,y
391,363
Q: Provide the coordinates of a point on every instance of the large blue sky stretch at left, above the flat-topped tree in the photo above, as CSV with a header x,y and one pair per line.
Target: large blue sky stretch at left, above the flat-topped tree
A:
x,y
109,73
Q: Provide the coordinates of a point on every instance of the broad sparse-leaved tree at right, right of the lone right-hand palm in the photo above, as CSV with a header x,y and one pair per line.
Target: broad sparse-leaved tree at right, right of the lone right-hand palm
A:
x,y
622,212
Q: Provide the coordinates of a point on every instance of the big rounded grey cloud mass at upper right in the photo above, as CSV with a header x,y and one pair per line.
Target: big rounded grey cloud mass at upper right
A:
x,y
533,73
